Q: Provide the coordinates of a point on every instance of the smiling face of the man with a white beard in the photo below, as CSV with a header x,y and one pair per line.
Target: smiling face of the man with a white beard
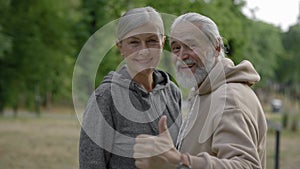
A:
x,y
193,54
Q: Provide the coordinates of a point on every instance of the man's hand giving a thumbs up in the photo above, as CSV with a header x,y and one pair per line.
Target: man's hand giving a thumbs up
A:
x,y
152,152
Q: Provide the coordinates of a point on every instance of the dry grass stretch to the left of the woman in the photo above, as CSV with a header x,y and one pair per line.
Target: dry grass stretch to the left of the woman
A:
x,y
49,142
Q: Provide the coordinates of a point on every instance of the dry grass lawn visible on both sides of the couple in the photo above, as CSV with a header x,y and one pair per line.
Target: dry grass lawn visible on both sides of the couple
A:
x,y
51,142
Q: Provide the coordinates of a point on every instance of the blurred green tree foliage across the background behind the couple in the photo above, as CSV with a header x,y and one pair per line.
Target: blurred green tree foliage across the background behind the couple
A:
x,y
41,40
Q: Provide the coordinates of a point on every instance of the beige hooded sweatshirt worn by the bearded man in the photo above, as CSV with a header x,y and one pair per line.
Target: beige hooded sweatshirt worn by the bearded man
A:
x,y
226,127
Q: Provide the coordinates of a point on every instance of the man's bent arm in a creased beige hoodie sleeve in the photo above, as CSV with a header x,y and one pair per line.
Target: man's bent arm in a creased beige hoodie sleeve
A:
x,y
235,144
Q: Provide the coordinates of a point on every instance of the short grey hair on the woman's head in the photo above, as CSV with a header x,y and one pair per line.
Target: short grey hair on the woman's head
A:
x,y
137,17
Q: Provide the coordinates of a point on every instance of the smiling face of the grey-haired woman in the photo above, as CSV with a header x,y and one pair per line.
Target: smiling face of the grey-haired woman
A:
x,y
142,48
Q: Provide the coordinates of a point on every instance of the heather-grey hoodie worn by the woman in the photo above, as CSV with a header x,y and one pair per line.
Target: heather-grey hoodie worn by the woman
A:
x,y
121,109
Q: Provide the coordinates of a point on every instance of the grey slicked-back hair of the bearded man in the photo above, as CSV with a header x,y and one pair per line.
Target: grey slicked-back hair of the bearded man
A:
x,y
206,25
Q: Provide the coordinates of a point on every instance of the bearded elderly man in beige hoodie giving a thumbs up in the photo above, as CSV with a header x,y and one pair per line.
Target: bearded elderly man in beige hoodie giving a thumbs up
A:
x,y
225,126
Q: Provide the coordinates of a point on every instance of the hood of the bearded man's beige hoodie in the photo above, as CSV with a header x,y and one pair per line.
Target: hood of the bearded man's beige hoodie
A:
x,y
226,72
